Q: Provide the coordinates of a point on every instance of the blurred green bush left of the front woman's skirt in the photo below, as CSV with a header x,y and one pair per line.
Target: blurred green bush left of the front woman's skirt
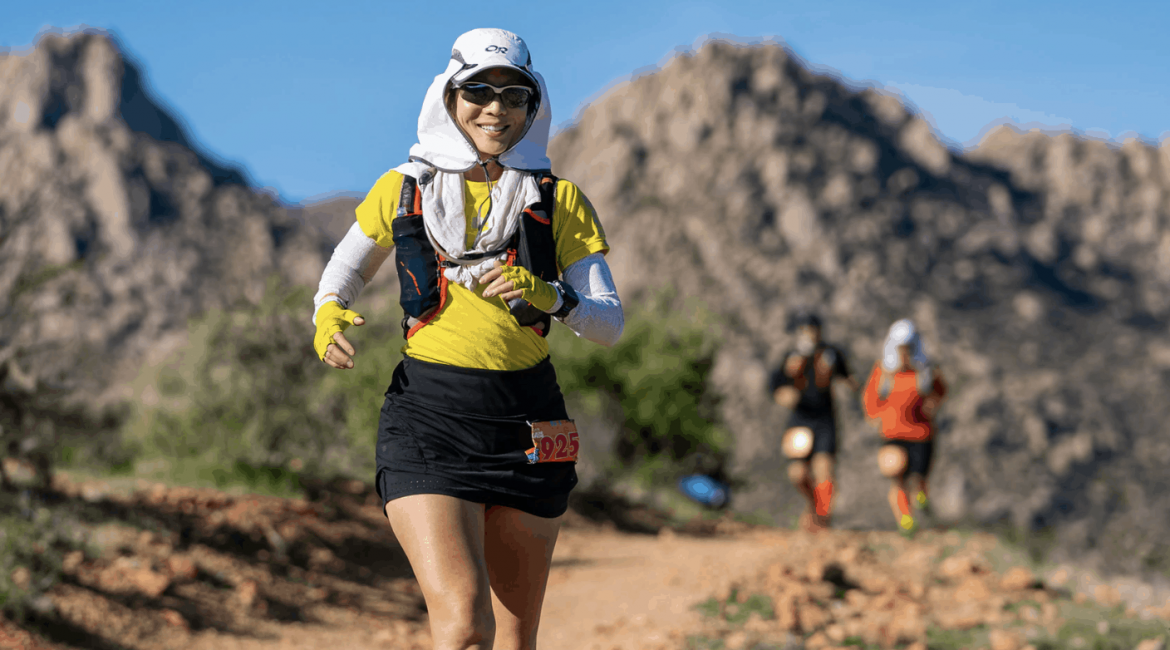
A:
x,y
247,400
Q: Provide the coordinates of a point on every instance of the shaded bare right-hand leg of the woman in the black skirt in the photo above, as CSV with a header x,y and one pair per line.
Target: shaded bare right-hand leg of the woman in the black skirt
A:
x,y
519,549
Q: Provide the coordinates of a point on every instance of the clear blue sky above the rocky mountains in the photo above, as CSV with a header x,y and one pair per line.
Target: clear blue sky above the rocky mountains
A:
x,y
321,98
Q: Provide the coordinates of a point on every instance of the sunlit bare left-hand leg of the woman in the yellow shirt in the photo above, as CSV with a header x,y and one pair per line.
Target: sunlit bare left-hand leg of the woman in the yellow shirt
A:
x,y
443,538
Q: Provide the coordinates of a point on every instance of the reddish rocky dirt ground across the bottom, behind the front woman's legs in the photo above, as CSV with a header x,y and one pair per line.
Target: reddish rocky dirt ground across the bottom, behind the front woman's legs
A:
x,y
177,568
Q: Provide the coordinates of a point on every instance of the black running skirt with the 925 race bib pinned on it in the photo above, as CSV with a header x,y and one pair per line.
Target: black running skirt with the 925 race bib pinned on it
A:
x,y
464,433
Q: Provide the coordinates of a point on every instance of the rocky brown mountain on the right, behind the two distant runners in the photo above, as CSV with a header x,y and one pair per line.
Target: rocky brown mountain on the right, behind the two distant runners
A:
x,y
1038,269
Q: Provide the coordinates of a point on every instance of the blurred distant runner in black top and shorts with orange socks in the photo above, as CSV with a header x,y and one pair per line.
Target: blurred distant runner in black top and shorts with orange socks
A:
x,y
804,385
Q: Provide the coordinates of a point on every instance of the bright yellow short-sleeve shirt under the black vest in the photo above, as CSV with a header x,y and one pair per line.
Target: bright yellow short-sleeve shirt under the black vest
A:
x,y
472,331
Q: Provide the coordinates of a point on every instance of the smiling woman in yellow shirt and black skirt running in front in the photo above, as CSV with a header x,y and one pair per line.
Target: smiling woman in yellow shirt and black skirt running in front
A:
x,y
477,454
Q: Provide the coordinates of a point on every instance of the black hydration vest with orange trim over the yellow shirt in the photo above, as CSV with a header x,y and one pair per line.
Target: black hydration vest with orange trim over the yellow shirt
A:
x,y
423,286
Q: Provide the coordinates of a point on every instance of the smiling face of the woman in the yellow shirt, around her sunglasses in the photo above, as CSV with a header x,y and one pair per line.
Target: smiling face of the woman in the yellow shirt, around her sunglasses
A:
x,y
493,128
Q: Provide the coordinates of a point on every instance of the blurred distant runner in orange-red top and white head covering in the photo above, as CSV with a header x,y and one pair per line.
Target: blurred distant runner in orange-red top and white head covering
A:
x,y
904,393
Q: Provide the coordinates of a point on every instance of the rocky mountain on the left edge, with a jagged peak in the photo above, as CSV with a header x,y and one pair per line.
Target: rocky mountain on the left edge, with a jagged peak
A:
x,y
114,231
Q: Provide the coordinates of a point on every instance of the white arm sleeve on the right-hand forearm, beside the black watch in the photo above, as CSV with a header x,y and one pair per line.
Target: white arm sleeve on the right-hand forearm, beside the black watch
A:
x,y
598,316
